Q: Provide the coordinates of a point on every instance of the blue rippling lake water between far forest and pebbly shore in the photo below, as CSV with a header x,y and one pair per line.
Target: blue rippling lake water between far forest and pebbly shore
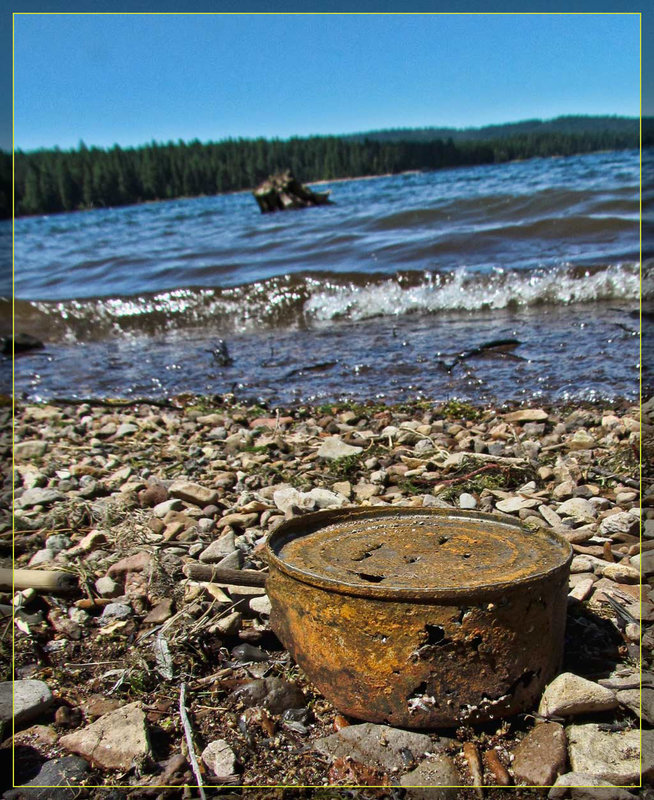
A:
x,y
373,297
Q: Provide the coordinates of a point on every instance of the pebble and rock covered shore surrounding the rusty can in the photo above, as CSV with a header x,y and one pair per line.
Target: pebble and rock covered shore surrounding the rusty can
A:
x,y
131,674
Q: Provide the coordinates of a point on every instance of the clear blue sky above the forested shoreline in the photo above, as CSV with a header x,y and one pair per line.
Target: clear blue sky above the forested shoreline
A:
x,y
129,79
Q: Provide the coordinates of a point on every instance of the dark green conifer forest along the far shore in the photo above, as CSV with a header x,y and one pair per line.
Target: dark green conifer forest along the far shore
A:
x,y
54,180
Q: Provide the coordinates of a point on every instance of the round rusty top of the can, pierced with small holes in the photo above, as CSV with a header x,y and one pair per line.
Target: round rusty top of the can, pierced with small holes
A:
x,y
419,553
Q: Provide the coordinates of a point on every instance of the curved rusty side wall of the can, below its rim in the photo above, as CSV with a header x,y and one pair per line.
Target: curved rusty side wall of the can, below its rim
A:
x,y
425,664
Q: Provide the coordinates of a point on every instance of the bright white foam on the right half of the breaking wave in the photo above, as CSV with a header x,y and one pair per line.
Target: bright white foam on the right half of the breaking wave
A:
x,y
463,290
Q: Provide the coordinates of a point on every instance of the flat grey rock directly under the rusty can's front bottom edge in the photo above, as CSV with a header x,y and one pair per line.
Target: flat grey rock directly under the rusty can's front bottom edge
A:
x,y
378,746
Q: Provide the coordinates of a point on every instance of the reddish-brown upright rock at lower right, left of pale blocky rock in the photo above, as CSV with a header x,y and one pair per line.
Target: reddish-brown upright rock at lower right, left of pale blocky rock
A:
x,y
541,756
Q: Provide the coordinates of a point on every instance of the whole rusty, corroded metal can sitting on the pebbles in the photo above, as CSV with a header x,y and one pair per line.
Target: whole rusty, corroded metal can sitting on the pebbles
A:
x,y
420,618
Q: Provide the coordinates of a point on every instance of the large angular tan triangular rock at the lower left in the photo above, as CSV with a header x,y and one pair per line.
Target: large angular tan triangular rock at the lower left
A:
x,y
118,740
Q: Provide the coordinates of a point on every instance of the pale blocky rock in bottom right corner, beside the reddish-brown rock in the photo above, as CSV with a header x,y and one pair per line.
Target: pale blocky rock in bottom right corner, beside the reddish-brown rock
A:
x,y
611,755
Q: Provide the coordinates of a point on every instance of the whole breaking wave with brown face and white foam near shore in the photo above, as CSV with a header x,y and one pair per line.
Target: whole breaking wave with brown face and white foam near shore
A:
x,y
311,299
